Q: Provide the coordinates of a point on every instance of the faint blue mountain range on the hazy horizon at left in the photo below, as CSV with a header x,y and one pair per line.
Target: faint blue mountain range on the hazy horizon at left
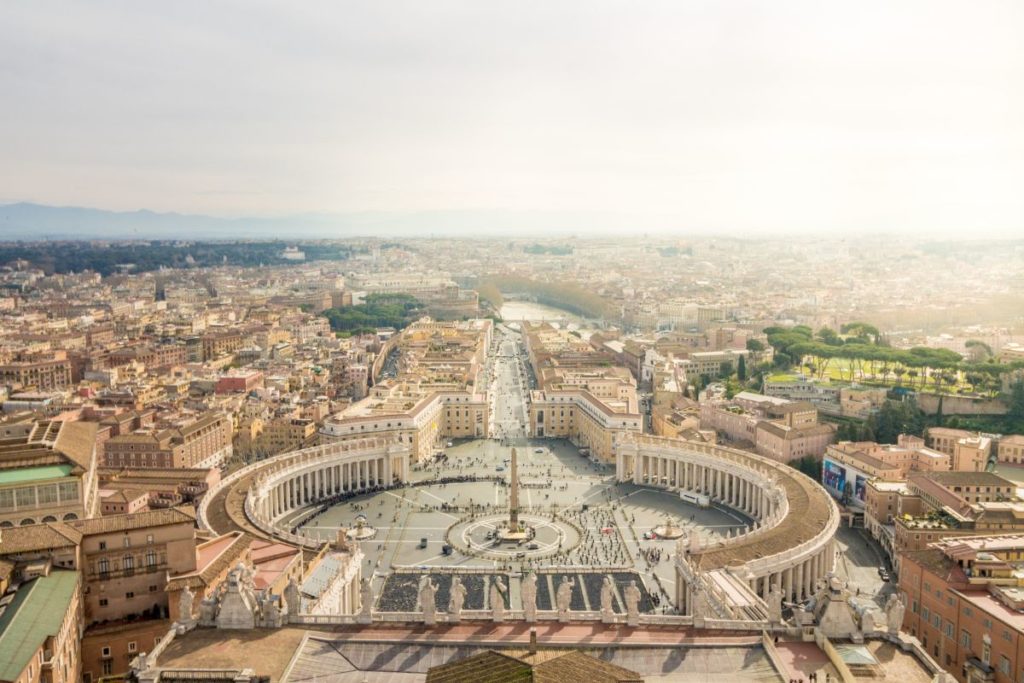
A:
x,y
35,222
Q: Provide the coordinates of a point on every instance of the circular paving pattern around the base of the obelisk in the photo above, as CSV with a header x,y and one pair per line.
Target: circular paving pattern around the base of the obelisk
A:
x,y
481,537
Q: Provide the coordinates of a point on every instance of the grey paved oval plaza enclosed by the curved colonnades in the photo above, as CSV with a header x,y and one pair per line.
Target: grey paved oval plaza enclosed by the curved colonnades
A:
x,y
606,522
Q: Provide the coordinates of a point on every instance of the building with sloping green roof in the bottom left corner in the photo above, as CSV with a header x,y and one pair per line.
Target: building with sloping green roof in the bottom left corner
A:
x,y
40,627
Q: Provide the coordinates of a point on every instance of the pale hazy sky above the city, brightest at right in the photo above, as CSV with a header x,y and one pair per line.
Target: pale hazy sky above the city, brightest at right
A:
x,y
752,117
